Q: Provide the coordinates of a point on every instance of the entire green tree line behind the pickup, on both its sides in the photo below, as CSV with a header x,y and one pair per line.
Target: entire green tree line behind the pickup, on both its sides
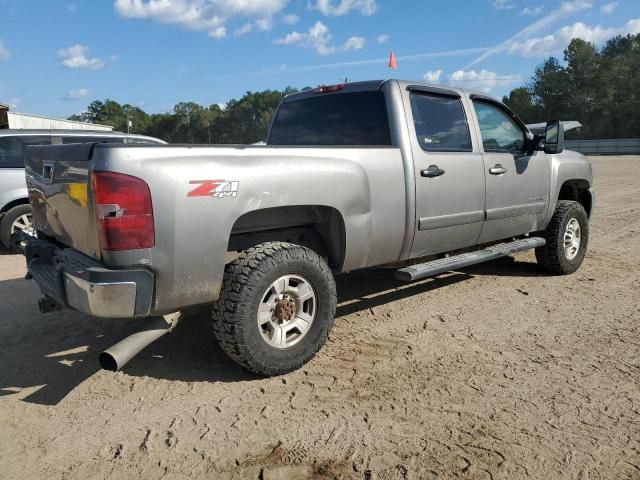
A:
x,y
598,87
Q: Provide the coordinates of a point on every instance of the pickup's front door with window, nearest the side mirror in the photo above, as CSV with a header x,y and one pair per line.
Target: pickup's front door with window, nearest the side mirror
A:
x,y
517,183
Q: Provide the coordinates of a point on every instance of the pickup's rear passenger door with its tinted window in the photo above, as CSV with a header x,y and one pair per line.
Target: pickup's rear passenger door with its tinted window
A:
x,y
449,172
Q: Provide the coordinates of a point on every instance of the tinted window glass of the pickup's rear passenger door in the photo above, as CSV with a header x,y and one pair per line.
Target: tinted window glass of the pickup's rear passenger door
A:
x,y
440,123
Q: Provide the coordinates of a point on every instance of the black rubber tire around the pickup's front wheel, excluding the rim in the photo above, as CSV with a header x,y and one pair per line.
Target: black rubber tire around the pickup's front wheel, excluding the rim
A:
x,y
552,256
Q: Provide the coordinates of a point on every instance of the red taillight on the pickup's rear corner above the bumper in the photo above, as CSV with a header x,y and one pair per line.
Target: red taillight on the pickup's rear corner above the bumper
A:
x,y
124,210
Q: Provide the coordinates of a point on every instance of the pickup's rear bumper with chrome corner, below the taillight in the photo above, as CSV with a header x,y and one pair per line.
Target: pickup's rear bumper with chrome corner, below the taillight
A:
x,y
73,280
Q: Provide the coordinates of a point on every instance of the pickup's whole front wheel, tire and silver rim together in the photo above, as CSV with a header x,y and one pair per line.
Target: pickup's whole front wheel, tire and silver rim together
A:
x,y
567,236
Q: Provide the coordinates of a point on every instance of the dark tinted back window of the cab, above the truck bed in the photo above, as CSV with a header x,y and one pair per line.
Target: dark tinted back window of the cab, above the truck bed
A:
x,y
343,119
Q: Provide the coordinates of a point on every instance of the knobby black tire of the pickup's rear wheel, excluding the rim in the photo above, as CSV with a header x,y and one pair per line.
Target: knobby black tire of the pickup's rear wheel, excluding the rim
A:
x,y
245,281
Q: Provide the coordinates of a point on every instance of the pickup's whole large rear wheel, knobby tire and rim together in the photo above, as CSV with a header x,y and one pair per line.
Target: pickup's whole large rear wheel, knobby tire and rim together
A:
x,y
276,307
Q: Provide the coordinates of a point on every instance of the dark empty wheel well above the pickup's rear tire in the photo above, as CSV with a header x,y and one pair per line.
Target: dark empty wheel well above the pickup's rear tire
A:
x,y
317,227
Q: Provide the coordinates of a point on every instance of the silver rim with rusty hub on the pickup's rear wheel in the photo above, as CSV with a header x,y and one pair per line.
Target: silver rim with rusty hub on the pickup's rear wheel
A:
x,y
286,312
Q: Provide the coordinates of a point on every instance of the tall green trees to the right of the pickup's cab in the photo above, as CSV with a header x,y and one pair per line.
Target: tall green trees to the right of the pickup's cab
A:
x,y
598,87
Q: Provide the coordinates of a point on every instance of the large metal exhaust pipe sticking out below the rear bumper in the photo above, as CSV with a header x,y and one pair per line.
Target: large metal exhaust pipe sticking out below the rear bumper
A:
x,y
117,356
